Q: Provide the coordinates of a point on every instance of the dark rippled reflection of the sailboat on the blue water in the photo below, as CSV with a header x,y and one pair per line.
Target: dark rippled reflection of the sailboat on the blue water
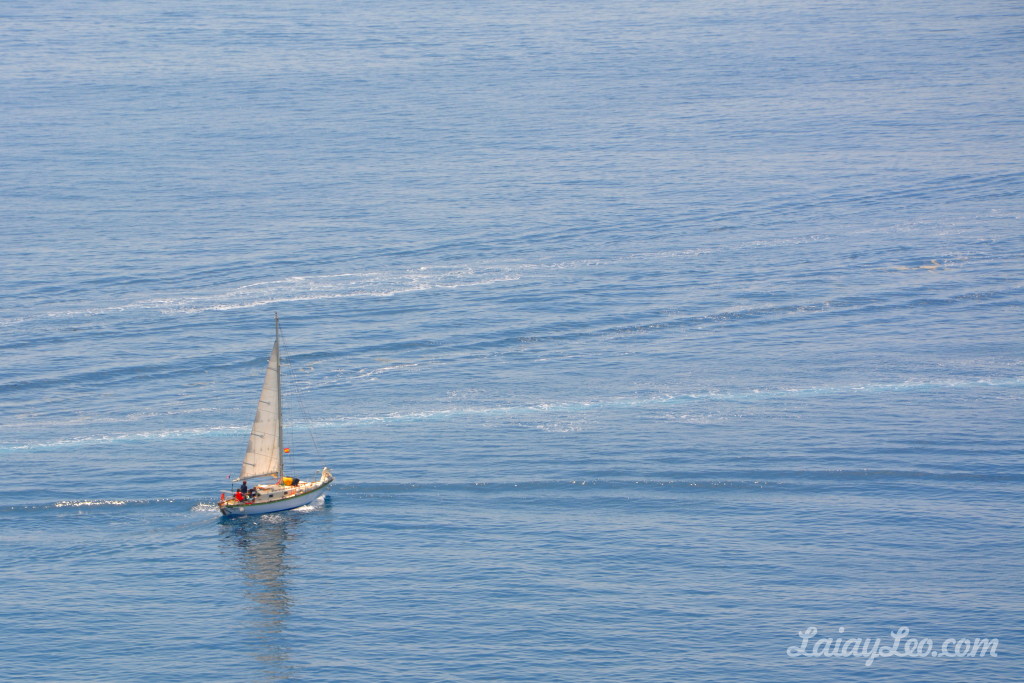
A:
x,y
261,549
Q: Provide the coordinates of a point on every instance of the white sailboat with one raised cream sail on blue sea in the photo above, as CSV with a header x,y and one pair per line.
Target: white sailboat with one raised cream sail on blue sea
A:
x,y
266,456
